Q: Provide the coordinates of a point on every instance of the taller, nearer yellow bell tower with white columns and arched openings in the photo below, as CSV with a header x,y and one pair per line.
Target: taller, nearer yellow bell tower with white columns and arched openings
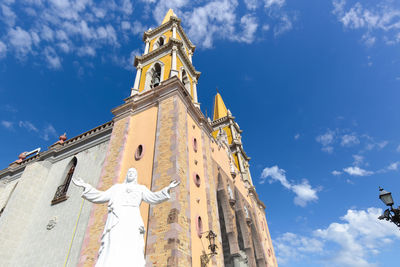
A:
x,y
168,52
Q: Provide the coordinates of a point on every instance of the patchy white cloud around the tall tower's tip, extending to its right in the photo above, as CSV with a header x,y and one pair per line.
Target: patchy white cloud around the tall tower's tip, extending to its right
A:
x,y
219,19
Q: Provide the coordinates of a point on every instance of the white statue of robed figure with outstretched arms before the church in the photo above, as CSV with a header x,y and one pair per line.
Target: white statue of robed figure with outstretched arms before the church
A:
x,y
122,242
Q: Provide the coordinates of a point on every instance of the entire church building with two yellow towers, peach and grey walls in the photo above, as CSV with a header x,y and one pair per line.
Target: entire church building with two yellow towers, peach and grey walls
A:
x,y
213,218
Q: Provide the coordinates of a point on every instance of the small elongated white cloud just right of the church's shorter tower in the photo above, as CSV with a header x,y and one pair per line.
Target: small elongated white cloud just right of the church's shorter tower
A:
x,y
304,192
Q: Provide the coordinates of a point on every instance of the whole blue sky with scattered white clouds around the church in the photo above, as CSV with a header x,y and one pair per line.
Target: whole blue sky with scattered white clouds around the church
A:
x,y
315,85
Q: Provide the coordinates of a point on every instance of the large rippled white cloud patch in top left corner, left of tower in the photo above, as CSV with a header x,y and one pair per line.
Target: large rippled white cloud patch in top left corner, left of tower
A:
x,y
63,26
